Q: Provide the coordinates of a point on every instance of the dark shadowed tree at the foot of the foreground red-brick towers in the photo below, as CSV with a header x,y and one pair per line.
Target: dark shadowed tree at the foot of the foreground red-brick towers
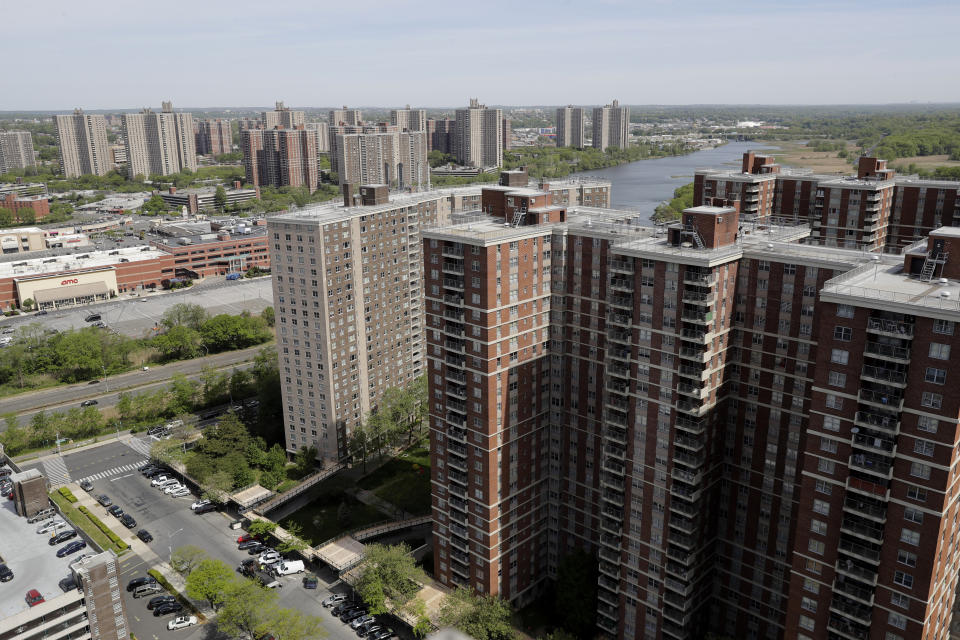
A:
x,y
576,593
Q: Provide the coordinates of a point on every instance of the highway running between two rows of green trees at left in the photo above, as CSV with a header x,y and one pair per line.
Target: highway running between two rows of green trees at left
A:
x,y
107,393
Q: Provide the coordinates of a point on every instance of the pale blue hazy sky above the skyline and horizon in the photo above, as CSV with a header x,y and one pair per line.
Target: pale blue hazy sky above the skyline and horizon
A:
x,y
205,53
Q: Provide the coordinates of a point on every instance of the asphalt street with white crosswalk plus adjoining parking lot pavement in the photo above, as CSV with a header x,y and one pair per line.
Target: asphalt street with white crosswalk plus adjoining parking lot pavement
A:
x,y
113,470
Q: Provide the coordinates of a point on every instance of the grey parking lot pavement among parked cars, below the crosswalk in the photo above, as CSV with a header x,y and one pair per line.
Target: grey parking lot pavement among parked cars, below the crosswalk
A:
x,y
173,524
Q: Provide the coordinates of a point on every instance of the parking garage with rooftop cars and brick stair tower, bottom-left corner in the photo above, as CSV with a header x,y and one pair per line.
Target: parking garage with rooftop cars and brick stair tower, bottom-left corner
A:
x,y
90,607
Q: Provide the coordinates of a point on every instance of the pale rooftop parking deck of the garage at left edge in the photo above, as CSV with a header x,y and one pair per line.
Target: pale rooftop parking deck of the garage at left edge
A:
x,y
34,563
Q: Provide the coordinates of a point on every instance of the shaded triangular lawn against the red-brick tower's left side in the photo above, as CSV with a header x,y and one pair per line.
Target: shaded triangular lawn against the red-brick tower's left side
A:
x,y
403,481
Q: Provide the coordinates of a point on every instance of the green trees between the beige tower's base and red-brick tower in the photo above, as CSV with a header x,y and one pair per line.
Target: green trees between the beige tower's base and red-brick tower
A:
x,y
398,418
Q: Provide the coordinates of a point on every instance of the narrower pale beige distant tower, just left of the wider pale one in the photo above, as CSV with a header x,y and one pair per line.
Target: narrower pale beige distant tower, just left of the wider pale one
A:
x,y
82,140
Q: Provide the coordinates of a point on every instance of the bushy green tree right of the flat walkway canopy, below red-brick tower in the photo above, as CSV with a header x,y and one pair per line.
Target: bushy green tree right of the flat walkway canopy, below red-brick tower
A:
x,y
388,572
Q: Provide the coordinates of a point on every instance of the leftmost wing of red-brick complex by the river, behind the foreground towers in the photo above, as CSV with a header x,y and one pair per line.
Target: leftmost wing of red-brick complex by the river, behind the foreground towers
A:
x,y
753,188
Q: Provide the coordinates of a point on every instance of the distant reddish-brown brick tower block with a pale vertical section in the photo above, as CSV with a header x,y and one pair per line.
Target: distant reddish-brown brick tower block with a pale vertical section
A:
x,y
280,157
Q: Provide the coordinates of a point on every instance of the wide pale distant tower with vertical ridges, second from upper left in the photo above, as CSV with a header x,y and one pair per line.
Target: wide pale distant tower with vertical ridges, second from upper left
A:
x,y
159,143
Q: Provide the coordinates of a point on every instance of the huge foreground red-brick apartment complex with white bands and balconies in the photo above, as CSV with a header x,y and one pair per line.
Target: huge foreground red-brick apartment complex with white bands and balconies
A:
x,y
751,432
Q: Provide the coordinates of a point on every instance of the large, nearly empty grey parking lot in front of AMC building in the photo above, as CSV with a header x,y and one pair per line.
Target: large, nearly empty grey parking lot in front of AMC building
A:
x,y
136,315
